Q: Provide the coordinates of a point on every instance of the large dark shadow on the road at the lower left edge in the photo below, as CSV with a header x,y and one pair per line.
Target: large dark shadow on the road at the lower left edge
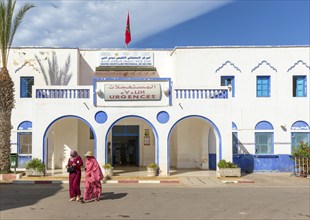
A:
x,y
15,196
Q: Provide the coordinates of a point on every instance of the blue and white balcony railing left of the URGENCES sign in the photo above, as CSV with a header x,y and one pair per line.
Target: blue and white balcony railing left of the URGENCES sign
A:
x,y
62,93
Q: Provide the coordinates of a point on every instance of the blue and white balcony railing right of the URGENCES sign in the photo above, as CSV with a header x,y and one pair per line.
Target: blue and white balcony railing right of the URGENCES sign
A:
x,y
201,93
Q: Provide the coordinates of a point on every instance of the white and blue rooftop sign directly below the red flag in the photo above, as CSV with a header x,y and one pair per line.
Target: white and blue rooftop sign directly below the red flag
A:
x,y
126,59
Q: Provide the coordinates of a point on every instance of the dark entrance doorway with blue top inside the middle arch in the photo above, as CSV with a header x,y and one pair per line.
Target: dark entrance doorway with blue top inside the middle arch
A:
x,y
125,145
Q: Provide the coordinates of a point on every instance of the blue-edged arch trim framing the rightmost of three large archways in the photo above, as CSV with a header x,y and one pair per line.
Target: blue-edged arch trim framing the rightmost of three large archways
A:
x,y
192,116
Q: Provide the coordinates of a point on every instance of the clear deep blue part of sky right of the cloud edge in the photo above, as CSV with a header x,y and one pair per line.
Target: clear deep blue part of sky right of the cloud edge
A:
x,y
240,23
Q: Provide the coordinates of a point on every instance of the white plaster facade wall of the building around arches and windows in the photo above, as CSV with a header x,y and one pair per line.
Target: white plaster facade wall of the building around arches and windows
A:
x,y
188,68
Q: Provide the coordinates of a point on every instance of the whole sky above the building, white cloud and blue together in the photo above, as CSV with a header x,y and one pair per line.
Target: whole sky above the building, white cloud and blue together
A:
x,y
164,23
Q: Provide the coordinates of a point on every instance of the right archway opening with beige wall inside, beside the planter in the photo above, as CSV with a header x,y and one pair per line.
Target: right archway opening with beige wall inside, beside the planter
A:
x,y
194,142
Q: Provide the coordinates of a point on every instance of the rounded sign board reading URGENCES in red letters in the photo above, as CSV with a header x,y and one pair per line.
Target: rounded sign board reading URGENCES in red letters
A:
x,y
132,92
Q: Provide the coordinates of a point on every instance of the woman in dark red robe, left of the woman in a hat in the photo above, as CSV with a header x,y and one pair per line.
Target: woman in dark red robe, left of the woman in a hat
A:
x,y
75,176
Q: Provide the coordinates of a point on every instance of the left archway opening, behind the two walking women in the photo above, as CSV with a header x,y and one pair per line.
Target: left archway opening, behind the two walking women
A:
x,y
65,134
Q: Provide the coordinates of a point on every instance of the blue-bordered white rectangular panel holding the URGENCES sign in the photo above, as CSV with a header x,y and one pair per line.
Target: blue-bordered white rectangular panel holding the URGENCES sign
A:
x,y
132,92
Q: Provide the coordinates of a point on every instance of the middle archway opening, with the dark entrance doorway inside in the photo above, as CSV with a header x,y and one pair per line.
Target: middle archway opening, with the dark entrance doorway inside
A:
x,y
131,141
